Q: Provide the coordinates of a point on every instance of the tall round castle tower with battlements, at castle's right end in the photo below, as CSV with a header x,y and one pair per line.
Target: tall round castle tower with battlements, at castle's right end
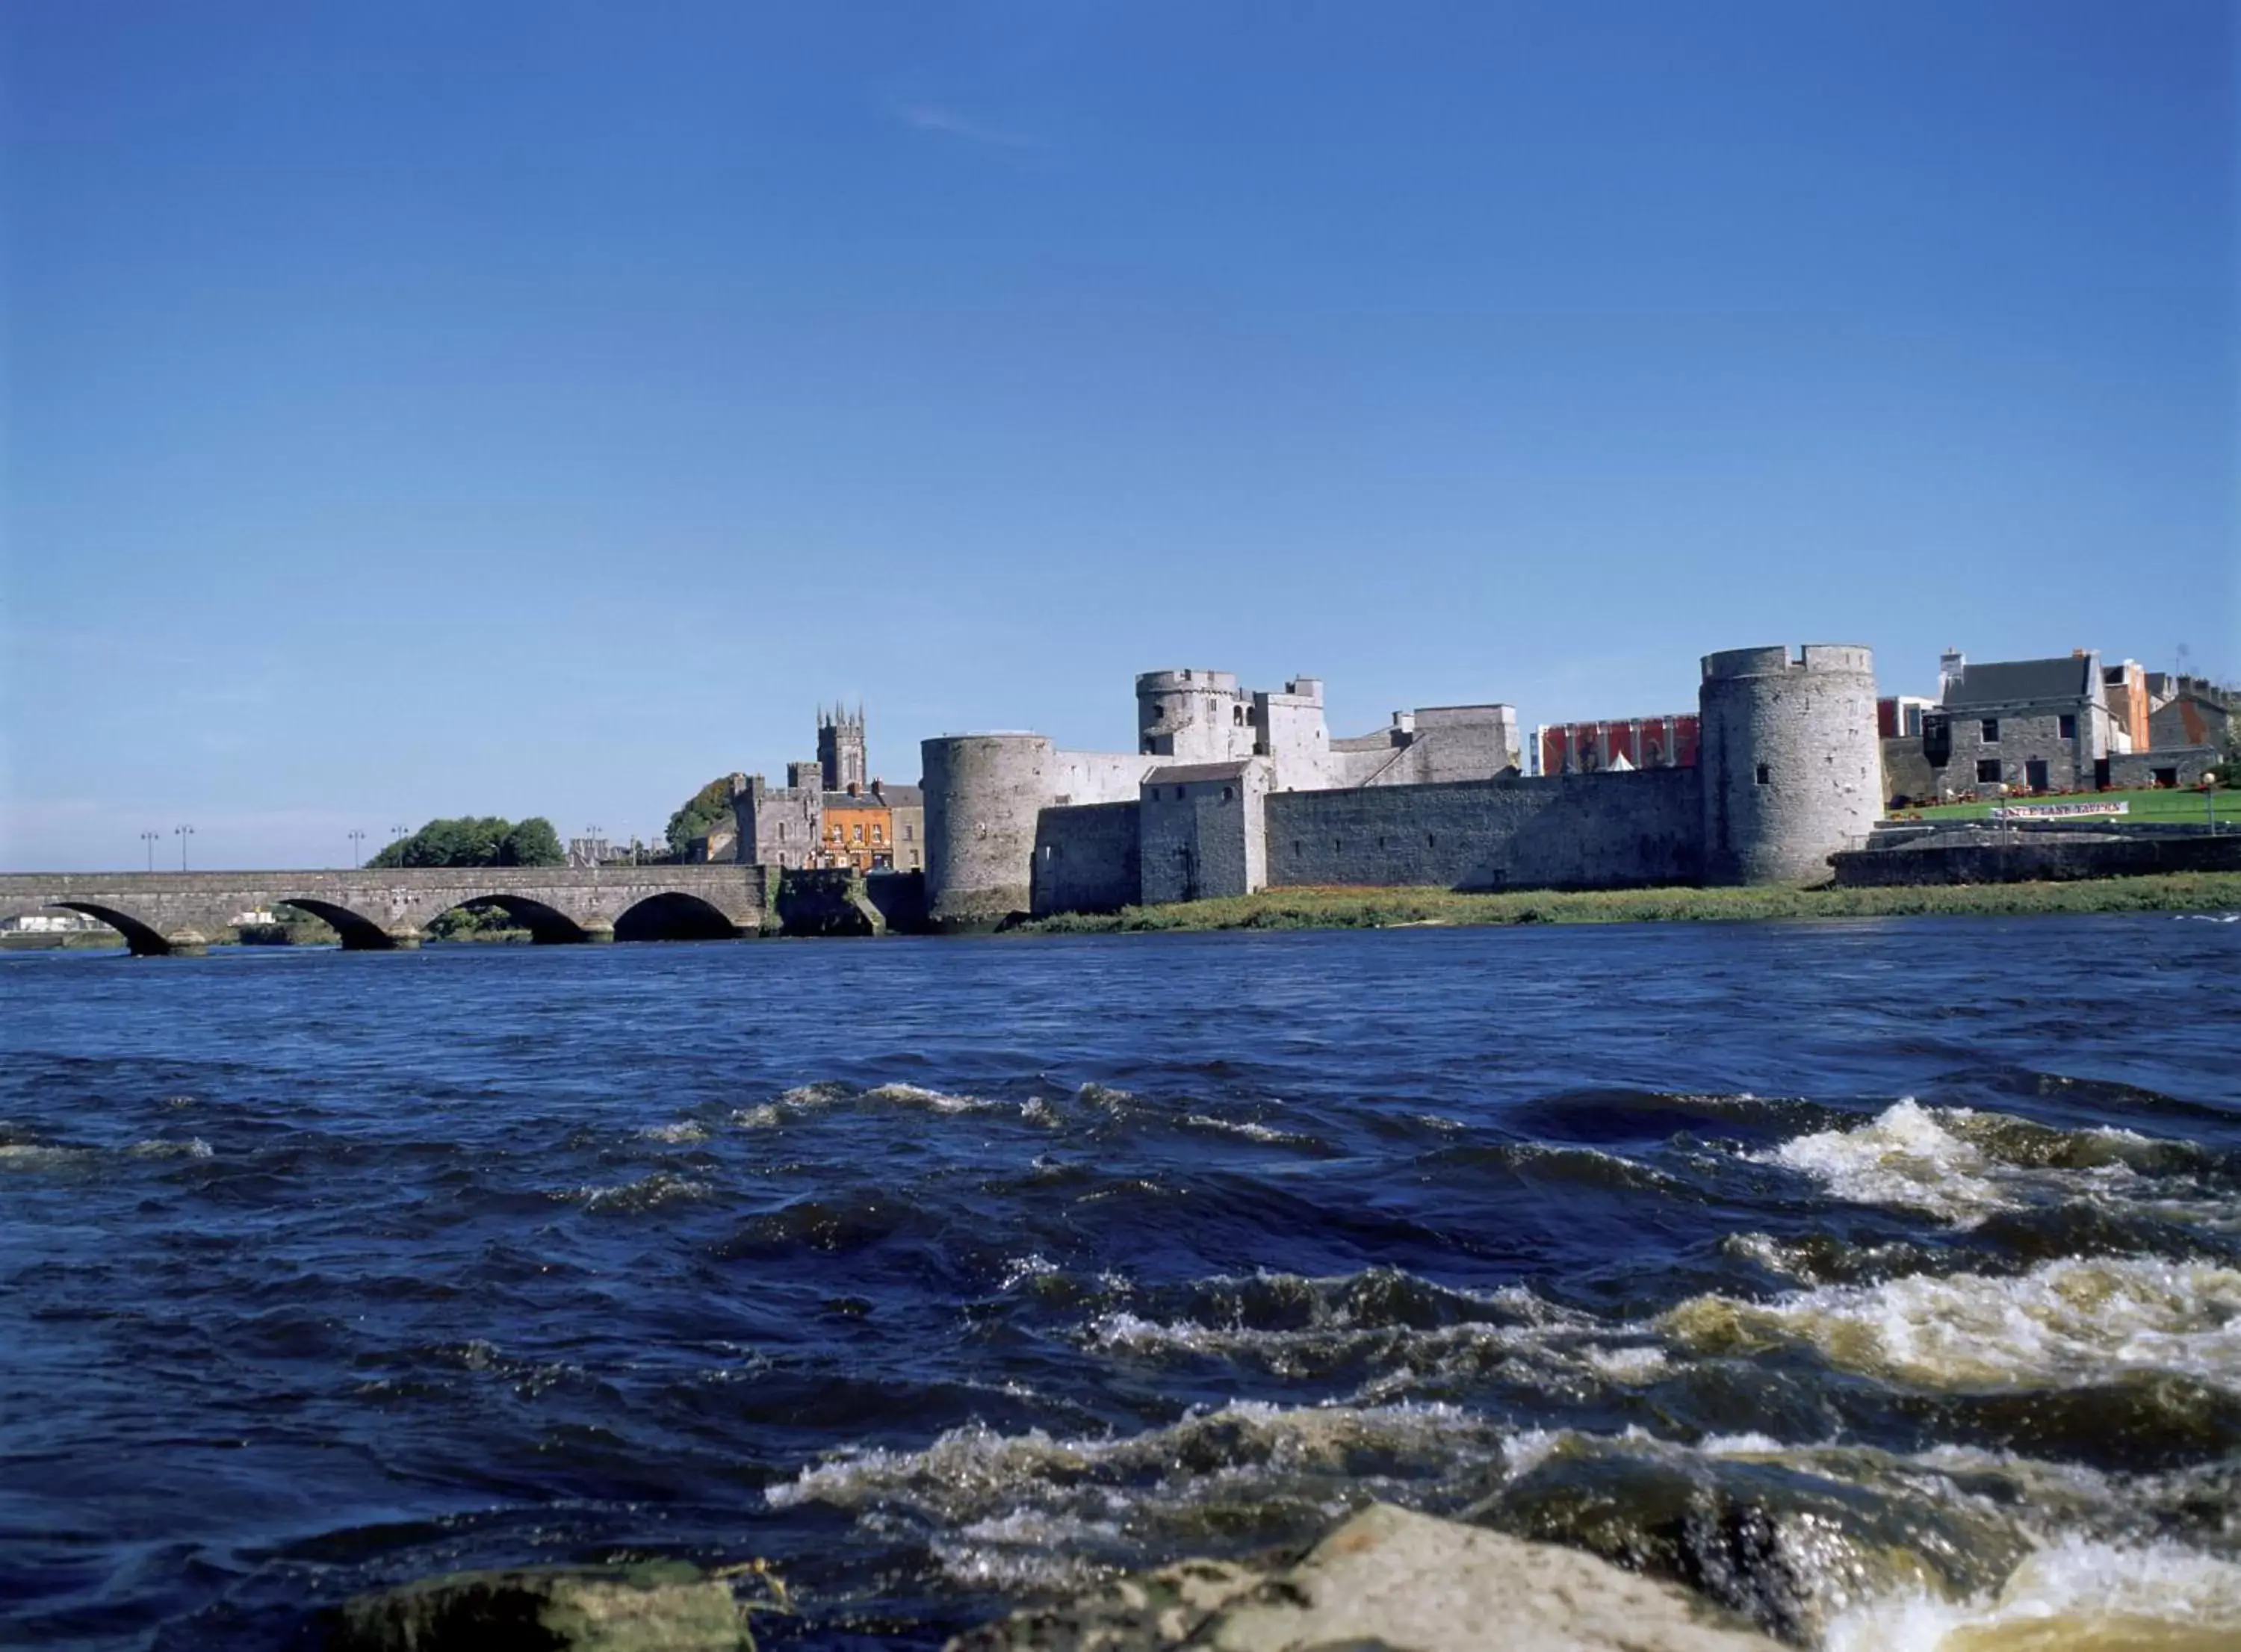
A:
x,y
1789,761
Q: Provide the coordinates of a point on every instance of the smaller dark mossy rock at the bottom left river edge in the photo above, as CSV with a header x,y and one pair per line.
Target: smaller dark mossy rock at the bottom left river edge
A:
x,y
651,1608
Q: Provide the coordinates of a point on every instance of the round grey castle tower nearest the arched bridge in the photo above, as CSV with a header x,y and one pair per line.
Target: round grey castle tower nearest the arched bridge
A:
x,y
983,801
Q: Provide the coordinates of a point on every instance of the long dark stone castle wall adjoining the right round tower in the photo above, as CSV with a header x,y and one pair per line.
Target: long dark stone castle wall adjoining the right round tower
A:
x,y
1608,830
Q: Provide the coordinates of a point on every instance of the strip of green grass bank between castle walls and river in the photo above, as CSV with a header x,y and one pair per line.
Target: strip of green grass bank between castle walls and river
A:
x,y
1357,909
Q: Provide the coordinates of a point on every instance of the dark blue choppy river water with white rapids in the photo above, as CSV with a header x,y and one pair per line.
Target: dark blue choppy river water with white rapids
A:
x,y
1879,1279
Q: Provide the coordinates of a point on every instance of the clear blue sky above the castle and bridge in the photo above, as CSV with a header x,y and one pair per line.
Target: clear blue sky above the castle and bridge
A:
x,y
539,409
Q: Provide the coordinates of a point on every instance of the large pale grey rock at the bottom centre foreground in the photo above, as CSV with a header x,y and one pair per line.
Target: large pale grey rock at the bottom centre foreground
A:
x,y
1386,1579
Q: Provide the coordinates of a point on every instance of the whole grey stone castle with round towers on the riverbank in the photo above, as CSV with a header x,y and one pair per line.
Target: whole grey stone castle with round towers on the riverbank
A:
x,y
1236,790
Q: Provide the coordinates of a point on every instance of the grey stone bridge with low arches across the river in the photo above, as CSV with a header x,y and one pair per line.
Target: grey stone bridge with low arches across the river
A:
x,y
371,911
